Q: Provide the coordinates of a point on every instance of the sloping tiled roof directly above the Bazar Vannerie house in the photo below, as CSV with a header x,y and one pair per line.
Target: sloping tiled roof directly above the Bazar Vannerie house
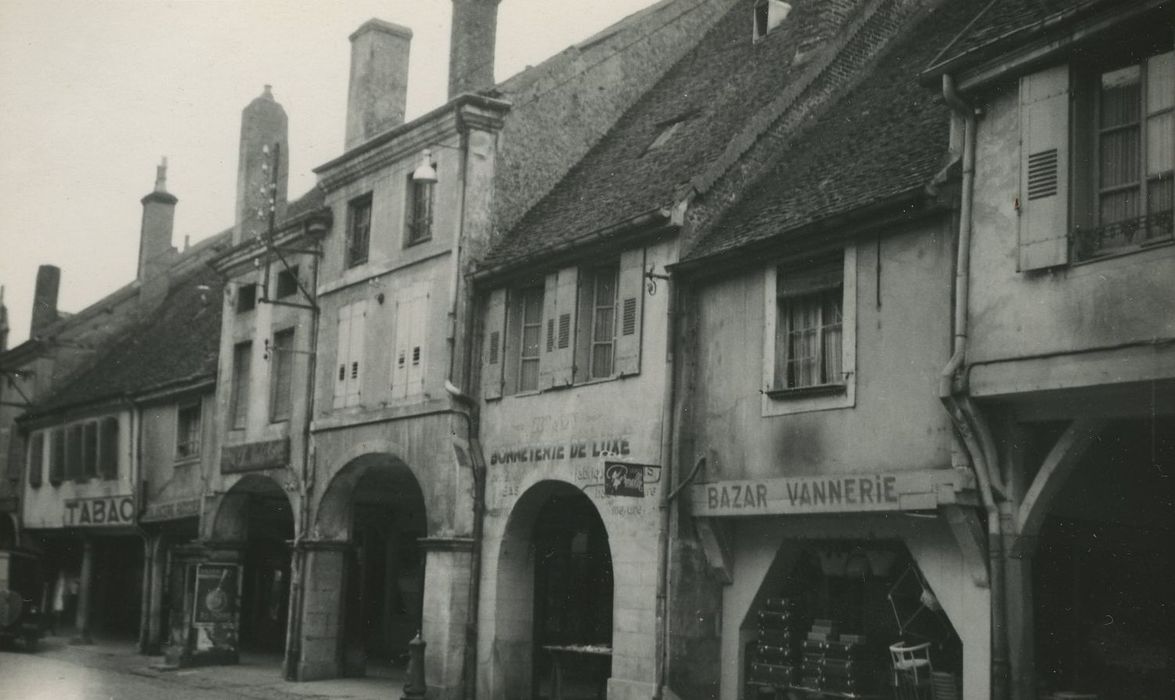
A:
x,y
889,137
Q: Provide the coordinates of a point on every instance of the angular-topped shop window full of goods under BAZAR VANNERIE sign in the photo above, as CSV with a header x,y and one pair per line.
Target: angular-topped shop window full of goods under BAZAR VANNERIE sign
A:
x,y
837,618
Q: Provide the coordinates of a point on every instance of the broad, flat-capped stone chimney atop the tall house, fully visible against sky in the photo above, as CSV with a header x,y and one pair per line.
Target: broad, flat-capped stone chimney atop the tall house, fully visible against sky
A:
x,y
379,84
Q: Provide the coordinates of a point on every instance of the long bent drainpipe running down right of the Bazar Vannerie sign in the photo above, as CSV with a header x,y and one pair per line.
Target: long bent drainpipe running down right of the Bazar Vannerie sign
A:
x,y
971,426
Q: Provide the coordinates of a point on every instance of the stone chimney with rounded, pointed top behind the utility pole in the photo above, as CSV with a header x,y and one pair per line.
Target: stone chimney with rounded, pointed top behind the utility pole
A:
x,y
265,130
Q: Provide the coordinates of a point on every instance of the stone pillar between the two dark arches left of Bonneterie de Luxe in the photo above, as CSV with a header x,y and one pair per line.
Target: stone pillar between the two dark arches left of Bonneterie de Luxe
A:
x,y
321,629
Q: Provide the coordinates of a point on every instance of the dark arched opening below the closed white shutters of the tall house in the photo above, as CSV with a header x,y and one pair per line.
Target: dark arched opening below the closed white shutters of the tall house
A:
x,y
377,503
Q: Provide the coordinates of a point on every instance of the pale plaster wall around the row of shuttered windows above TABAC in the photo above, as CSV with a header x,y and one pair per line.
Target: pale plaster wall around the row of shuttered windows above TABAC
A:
x,y
45,507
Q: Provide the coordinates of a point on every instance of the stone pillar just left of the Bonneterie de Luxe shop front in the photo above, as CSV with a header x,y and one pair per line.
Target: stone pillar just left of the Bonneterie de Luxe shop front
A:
x,y
447,568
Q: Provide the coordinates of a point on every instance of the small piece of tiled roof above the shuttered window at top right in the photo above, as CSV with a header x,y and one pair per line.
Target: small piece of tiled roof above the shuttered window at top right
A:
x,y
1004,22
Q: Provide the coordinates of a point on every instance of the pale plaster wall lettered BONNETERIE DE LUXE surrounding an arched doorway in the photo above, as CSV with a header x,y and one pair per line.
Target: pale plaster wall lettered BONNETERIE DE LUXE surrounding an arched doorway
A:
x,y
567,435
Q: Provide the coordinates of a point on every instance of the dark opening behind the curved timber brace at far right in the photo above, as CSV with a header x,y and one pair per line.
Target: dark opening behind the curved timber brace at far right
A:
x,y
1104,600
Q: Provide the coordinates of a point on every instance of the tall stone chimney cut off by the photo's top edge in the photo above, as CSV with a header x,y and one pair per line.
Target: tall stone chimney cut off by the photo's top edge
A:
x,y
475,24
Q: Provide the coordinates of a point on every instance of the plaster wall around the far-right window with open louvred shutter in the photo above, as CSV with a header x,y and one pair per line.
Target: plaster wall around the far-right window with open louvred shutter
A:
x,y
1076,308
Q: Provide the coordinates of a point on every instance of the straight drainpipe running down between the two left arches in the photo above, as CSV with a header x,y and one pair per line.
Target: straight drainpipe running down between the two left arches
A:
x,y
298,574
